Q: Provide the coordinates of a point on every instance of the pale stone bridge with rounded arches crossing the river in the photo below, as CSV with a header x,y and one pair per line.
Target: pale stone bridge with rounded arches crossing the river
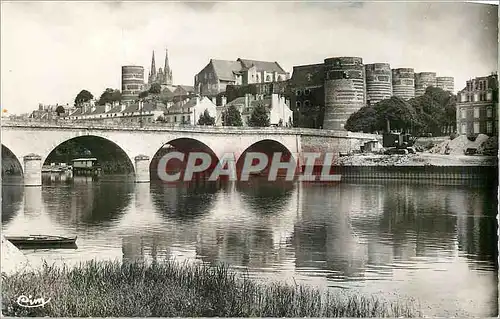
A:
x,y
31,142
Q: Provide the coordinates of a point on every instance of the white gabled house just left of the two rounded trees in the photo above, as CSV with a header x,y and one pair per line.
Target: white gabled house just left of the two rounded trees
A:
x,y
189,111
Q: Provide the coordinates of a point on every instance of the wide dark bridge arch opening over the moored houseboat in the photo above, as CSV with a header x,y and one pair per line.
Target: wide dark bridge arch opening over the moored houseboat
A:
x,y
110,155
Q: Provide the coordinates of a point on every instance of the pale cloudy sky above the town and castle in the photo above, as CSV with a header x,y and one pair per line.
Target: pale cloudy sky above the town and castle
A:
x,y
52,50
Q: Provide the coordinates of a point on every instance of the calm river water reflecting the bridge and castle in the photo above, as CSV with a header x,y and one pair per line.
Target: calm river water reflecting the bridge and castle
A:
x,y
431,242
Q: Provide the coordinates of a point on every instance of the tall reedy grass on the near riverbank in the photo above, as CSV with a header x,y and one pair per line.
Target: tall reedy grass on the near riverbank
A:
x,y
102,289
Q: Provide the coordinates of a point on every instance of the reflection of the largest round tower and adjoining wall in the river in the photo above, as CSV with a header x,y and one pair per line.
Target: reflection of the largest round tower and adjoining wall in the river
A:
x,y
324,238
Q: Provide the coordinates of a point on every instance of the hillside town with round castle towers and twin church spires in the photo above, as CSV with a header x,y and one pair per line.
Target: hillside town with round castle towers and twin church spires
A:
x,y
321,96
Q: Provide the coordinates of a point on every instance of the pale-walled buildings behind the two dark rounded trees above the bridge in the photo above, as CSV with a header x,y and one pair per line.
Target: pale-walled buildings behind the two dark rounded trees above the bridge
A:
x,y
279,111
